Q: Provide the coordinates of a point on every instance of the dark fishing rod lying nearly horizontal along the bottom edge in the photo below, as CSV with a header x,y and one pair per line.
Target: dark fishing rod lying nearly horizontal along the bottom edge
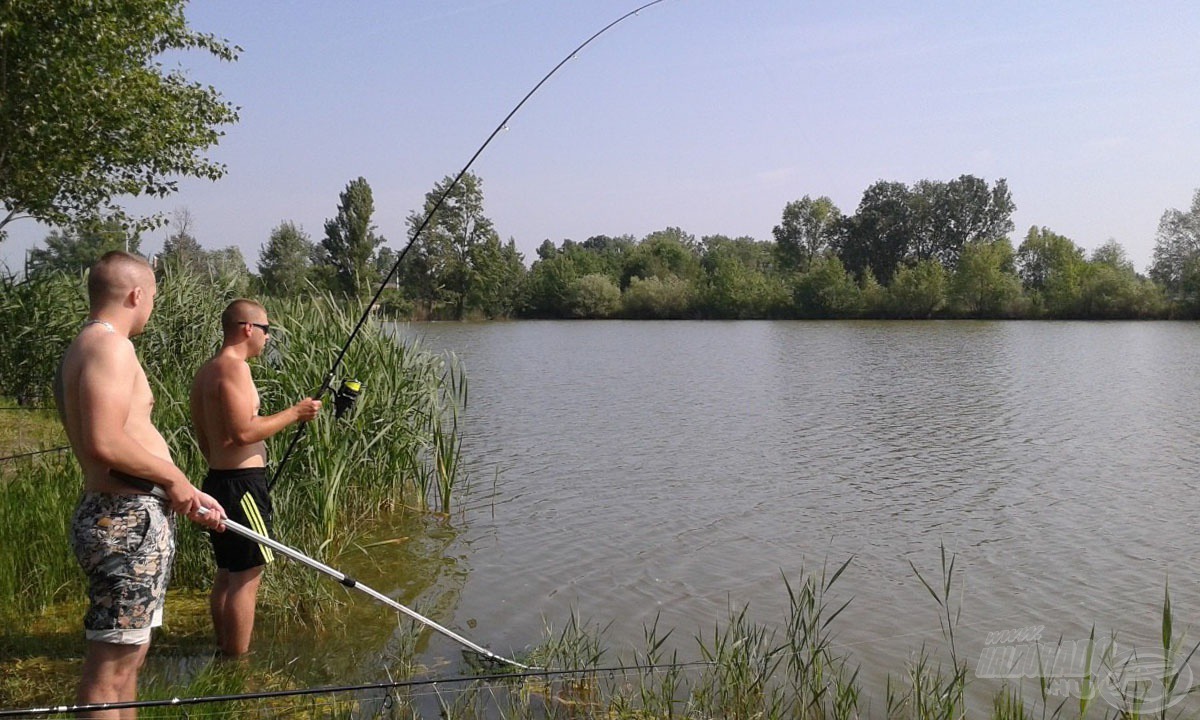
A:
x,y
338,689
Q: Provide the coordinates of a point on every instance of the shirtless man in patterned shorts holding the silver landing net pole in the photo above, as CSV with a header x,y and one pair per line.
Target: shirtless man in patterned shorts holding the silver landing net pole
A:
x,y
122,535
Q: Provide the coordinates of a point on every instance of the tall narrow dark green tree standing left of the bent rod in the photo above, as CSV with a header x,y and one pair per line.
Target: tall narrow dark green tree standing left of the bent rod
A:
x,y
351,241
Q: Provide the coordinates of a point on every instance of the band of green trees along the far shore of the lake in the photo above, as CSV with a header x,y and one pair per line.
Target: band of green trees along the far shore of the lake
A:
x,y
932,250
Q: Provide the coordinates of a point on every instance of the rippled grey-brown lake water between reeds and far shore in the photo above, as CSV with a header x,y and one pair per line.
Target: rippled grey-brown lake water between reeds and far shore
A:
x,y
631,471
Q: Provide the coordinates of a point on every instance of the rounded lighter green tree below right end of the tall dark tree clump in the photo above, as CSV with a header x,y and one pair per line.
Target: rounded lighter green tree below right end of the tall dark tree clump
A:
x,y
986,284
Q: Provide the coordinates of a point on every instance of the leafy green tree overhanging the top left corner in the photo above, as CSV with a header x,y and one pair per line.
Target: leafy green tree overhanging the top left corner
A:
x,y
88,112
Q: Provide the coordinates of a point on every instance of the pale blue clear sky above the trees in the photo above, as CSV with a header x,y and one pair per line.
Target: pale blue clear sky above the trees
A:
x,y
710,116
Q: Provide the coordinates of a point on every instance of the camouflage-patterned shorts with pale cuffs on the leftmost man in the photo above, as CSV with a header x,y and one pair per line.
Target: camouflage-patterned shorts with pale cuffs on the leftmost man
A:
x,y
125,545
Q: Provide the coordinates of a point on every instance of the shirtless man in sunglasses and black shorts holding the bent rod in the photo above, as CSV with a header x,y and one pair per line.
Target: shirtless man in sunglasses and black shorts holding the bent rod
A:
x,y
231,434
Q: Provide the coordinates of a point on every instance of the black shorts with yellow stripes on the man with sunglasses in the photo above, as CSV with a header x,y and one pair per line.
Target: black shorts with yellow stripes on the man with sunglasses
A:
x,y
243,494
